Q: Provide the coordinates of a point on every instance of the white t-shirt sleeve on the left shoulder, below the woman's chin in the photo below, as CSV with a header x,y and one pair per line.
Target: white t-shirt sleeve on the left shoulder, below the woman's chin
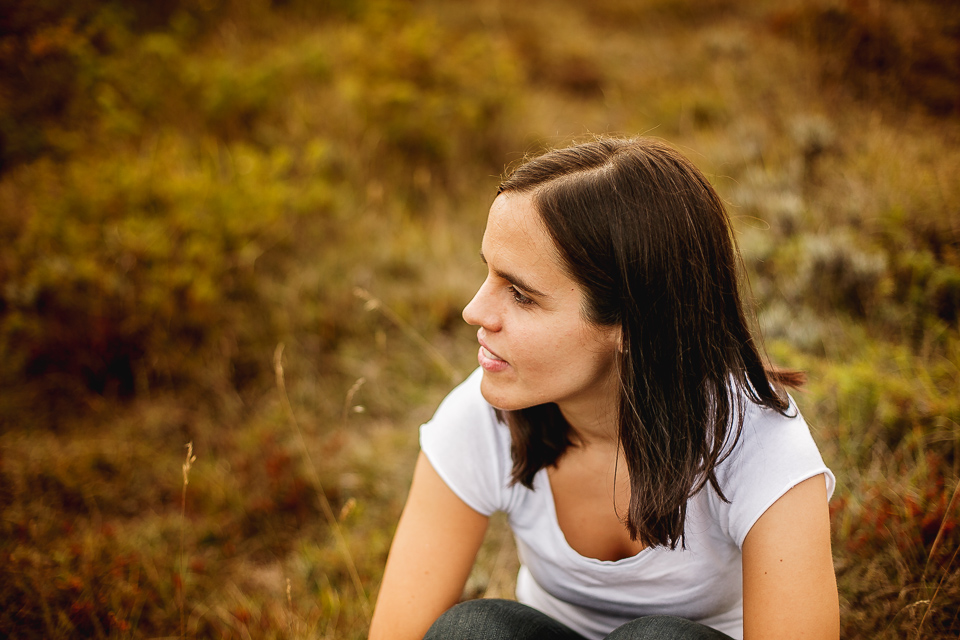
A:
x,y
469,448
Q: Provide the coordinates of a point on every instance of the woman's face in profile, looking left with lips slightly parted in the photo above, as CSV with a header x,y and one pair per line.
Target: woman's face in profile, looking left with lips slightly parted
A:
x,y
536,346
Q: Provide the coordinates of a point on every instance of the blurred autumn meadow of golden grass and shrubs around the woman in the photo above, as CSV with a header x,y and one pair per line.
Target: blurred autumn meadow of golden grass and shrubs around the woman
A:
x,y
193,192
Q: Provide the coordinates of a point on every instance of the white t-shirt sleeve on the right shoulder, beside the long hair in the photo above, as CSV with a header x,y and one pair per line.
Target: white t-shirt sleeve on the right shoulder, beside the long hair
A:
x,y
774,454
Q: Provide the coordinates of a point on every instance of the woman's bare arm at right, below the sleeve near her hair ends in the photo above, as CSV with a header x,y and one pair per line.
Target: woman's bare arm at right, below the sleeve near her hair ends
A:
x,y
789,585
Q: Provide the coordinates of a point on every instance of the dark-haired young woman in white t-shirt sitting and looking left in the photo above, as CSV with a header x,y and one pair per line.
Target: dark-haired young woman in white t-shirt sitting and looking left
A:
x,y
658,480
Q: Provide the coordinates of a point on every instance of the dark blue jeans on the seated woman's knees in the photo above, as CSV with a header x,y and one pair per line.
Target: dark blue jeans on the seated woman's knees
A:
x,y
509,620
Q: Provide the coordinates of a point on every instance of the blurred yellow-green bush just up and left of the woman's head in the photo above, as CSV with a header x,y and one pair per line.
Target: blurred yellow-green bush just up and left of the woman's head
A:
x,y
432,95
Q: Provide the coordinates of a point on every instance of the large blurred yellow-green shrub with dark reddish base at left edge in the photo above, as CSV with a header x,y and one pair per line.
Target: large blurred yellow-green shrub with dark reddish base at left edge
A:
x,y
129,270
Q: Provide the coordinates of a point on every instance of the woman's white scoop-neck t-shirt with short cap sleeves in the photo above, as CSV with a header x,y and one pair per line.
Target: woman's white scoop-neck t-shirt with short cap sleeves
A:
x,y
470,449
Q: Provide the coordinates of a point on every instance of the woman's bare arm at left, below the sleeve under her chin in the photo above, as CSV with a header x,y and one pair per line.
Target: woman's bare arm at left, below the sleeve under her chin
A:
x,y
430,559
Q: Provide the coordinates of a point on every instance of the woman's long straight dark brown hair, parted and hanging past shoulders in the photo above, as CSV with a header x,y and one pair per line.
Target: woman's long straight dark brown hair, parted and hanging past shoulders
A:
x,y
647,238
